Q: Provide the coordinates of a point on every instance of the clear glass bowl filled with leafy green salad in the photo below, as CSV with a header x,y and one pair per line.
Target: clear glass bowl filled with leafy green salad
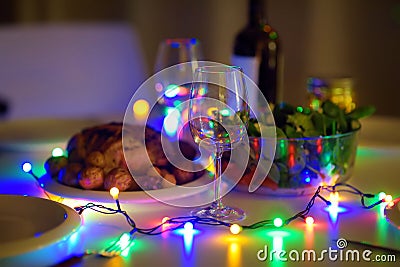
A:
x,y
313,147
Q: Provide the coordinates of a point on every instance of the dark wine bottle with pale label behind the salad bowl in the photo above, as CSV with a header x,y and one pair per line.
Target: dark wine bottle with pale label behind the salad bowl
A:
x,y
256,49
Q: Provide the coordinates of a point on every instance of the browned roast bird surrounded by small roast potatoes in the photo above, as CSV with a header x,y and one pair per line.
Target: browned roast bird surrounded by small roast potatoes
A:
x,y
96,160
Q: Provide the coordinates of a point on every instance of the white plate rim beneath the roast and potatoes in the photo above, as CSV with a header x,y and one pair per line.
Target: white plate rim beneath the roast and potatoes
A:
x,y
171,193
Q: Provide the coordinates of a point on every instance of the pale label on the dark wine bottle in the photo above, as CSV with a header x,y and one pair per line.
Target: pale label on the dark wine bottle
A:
x,y
251,67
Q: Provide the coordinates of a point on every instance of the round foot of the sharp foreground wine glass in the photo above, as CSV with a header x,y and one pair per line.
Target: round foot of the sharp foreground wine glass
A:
x,y
226,213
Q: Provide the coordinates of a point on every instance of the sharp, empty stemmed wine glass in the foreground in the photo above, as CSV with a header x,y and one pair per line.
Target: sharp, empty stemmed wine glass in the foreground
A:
x,y
218,117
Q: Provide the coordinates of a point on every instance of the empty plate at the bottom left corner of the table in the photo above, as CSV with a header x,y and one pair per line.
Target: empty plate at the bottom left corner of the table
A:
x,y
35,231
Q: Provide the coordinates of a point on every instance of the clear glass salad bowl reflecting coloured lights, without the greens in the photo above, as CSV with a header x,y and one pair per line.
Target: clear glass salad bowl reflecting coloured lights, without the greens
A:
x,y
300,165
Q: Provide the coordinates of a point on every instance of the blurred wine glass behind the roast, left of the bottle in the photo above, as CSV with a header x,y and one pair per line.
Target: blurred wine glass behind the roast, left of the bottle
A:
x,y
176,60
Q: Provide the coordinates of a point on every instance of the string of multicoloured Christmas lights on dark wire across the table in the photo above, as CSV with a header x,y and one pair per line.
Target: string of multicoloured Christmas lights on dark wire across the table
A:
x,y
187,222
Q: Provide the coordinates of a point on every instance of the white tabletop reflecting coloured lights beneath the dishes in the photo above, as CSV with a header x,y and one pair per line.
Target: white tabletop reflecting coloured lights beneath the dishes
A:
x,y
377,168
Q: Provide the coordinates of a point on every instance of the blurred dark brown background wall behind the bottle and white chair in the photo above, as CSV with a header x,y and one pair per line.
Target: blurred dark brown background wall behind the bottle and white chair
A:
x,y
356,38
